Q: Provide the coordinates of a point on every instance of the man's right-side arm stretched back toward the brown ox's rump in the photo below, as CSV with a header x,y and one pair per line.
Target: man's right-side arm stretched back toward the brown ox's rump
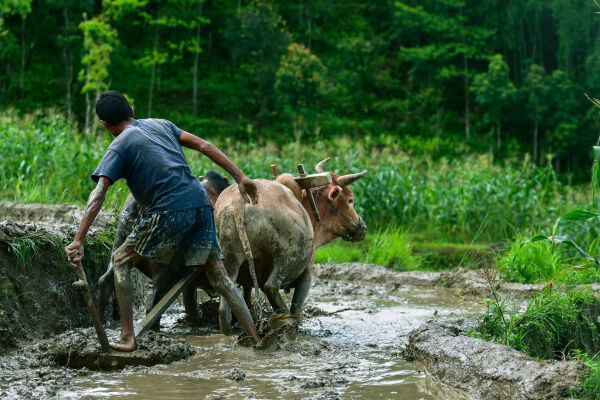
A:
x,y
247,187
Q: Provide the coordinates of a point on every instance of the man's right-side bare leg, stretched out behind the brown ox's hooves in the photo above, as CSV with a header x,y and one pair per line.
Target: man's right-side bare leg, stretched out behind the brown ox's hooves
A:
x,y
215,271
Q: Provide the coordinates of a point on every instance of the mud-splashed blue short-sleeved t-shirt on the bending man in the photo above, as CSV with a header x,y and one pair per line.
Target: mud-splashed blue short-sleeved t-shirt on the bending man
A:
x,y
148,155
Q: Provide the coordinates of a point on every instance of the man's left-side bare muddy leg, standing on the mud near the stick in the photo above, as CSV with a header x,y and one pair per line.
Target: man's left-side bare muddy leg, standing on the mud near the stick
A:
x,y
124,259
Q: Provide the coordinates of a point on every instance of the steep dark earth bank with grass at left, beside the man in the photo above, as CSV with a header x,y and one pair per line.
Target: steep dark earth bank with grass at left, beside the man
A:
x,y
37,298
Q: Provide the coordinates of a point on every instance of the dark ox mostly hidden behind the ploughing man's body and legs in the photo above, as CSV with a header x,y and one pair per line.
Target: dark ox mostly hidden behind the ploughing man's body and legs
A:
x,y
163,276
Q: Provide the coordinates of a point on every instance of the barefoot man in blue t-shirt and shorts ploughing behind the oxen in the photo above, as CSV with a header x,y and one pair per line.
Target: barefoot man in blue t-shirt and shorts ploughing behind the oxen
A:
x,y
177,212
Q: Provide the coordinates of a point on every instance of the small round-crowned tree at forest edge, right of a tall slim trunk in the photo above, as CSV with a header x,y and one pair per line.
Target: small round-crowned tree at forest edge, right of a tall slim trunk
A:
x,y
494,91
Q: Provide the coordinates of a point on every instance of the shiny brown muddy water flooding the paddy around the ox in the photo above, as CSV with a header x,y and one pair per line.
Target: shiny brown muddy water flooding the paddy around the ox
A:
x,y
348,347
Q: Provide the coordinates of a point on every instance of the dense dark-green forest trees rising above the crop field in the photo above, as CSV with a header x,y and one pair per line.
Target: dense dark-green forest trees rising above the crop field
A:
x,y
506,76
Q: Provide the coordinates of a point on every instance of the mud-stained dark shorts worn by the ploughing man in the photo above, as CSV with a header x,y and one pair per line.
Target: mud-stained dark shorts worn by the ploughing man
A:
x,y
158,236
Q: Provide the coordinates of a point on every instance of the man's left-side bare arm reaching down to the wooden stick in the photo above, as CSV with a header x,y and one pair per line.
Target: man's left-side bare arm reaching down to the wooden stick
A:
x,y
92,208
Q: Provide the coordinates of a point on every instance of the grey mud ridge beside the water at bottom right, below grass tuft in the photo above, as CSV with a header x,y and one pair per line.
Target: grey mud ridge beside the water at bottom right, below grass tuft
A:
x,y
489,370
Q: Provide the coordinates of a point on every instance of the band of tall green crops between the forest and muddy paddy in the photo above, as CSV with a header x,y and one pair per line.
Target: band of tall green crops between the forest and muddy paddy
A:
x,y
468,198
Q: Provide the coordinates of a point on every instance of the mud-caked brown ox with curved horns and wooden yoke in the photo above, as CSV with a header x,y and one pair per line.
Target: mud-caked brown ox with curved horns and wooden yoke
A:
x,y
280,234
